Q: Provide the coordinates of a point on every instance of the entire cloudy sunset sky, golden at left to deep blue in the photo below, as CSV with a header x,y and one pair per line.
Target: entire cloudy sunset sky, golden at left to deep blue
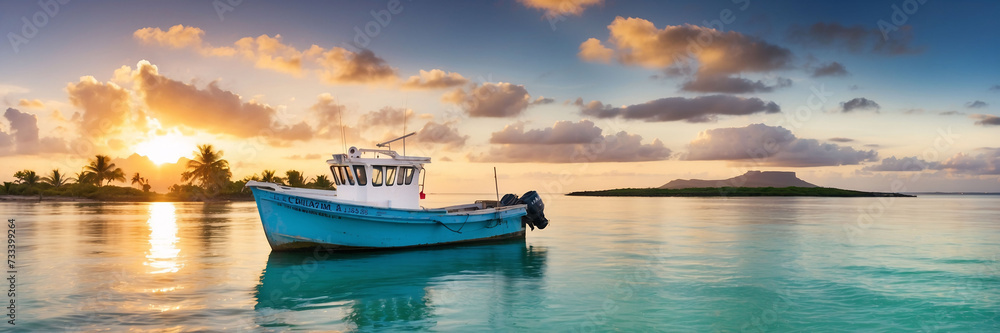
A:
x,y
558,95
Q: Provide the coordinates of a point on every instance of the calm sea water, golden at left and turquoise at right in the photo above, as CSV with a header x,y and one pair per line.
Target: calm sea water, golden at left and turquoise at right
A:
x,y
627,264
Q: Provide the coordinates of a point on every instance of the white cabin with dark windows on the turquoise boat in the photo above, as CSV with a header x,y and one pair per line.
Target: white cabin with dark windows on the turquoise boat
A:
x,y
385,179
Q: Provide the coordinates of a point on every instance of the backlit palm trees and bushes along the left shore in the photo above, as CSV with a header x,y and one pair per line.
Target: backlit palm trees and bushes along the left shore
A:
x,y
207,178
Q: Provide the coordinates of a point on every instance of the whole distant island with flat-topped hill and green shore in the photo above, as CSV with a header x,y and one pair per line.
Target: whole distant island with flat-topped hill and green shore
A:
x,y
750,184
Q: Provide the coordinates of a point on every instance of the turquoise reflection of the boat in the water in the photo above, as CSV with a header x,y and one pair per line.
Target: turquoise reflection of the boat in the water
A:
x,y
401,290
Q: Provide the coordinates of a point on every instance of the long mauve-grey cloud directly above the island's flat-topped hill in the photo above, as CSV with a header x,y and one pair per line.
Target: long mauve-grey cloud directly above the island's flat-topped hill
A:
x,y
771,146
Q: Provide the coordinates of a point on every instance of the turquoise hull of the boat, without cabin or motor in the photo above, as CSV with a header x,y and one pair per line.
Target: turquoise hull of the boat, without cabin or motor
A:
x,y
294,222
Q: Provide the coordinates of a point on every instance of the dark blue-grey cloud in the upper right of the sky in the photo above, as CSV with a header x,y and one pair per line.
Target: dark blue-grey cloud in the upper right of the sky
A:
x,y
854,39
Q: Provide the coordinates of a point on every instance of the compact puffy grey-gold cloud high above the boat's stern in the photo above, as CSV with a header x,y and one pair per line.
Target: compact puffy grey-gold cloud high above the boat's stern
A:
x,y
494,100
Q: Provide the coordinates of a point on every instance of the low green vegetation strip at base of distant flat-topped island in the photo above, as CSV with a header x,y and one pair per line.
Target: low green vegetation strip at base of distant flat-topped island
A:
x,y
736,192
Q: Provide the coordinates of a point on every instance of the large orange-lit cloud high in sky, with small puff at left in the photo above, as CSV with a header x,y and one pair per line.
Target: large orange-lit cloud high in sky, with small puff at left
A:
x,y
636,41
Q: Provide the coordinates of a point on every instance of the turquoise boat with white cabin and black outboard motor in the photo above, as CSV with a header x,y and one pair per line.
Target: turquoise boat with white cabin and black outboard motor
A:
x,y
376,205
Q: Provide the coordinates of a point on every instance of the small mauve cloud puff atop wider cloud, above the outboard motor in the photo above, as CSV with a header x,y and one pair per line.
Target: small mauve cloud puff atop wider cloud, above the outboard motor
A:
x,y
563,132
